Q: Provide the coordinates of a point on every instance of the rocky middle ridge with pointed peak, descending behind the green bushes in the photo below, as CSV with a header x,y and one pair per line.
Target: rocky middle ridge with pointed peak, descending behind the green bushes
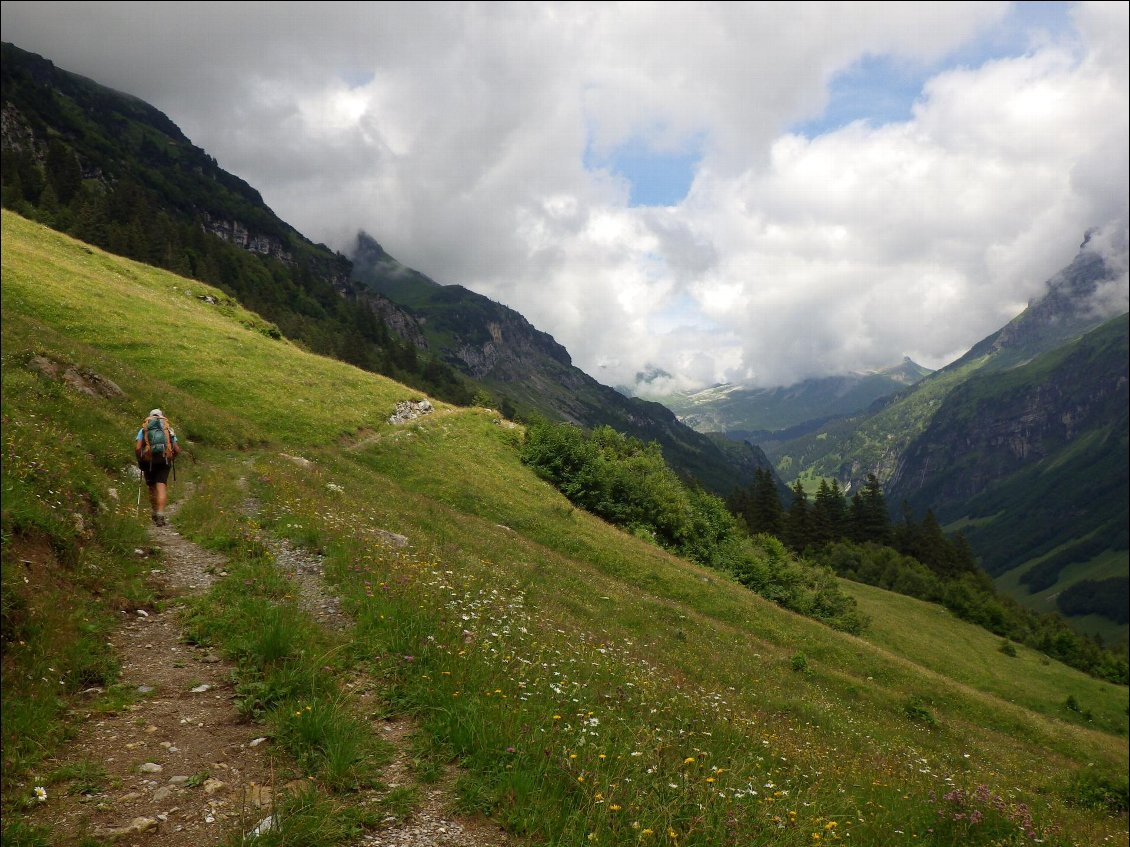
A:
x,y
532,374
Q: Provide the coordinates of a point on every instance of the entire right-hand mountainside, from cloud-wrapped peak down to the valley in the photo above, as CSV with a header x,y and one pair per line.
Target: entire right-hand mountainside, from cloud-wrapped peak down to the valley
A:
x,y
1022,444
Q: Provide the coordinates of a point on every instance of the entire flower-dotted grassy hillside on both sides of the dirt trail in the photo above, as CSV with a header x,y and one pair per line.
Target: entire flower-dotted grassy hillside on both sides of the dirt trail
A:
x,y
592,687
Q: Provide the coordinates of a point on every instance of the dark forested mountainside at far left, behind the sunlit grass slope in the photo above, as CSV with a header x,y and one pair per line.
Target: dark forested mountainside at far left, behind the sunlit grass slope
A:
x,y
116,172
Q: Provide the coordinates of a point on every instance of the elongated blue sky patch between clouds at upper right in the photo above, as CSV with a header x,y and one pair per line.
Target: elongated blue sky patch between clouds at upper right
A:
x,y
882,90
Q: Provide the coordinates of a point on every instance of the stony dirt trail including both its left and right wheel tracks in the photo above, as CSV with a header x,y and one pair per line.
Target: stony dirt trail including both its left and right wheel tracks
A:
x,y
180,767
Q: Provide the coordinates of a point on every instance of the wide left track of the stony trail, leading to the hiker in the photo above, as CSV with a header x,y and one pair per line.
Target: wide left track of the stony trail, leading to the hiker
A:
x,y
178,767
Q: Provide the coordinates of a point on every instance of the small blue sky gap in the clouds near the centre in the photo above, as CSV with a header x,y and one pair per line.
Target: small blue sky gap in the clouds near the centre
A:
x,y
657,178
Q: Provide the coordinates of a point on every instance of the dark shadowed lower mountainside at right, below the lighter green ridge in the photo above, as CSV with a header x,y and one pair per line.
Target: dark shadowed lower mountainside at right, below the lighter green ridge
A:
x,y
1035,462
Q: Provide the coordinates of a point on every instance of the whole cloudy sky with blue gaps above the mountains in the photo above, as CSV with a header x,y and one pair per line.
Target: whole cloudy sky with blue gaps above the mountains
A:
x,y
727,193
